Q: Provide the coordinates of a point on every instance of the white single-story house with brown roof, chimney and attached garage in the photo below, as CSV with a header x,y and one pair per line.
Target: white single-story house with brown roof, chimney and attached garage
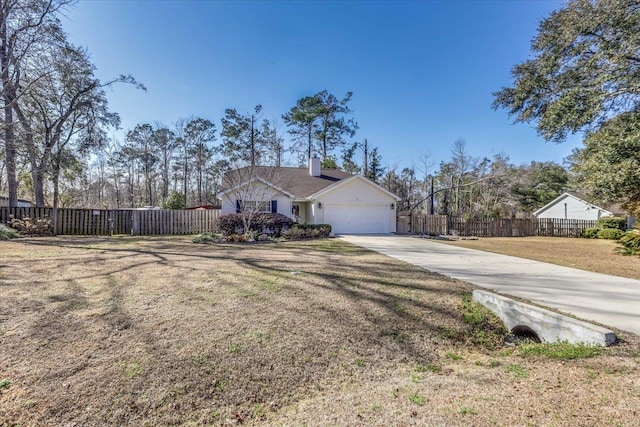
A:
x,y
350,203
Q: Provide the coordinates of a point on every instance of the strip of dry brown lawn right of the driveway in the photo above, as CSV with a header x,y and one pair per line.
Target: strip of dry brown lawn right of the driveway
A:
x,y
585,254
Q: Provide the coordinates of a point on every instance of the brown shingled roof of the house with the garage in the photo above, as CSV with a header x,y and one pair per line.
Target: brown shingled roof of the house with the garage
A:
x,y
295,181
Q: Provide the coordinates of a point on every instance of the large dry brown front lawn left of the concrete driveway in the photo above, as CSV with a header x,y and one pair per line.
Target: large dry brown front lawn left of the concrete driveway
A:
x,y
161,331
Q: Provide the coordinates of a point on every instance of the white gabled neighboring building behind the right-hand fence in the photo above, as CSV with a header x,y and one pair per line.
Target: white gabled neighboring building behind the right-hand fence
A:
x,y
574,206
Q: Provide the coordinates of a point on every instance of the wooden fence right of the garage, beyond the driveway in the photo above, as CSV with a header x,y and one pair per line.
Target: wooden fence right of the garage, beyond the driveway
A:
x,y
491,227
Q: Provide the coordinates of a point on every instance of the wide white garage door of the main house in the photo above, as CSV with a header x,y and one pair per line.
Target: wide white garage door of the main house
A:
x,y
354,219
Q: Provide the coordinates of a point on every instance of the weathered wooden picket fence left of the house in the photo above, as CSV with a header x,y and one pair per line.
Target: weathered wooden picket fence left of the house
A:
x,y
92,222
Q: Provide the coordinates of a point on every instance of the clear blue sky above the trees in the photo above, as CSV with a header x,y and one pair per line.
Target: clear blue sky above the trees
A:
x,y
422,72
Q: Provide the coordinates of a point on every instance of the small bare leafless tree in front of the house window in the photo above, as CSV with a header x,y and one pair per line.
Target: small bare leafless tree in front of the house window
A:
x,y
254,191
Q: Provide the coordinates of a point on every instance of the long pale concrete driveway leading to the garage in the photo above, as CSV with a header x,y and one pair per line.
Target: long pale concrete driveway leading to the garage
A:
x,y
609,300
